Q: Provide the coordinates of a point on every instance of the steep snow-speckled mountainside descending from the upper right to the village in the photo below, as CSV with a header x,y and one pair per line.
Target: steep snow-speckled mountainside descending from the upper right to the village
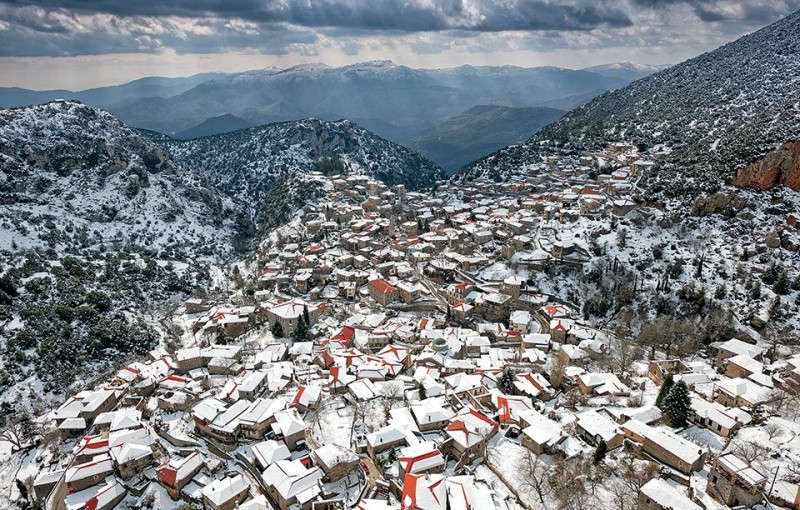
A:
x,y
719,111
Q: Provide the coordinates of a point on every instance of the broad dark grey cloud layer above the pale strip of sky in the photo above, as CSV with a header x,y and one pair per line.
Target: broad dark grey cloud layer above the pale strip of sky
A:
x,y
87,27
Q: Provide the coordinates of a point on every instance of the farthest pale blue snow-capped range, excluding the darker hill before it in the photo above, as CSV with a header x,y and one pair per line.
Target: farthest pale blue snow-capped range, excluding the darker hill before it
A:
x,y
381,96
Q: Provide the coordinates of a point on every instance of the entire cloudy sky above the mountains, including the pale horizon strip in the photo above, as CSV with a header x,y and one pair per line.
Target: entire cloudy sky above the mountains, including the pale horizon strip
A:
x,y
77,44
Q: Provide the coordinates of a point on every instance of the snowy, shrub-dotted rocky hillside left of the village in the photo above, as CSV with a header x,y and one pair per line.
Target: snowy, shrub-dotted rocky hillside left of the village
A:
x,y
98,230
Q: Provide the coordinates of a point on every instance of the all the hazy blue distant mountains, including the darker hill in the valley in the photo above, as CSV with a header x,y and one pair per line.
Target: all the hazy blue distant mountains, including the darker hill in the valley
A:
x,y
417,107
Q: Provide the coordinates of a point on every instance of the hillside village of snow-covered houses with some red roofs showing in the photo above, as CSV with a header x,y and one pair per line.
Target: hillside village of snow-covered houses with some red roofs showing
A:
x,y
394,350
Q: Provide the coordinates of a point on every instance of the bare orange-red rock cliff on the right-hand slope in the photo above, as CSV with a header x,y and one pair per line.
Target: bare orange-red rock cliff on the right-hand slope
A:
x,y
779,167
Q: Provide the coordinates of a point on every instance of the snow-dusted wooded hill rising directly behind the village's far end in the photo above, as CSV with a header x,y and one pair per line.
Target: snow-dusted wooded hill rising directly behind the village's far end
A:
x,y
244,164
